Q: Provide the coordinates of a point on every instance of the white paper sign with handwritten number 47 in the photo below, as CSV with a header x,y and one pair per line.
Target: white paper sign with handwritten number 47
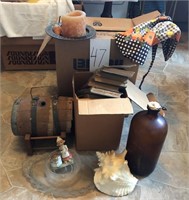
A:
x,y
99,53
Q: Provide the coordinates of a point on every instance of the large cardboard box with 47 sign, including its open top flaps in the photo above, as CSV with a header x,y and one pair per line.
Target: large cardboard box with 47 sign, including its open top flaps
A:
x,y
74,55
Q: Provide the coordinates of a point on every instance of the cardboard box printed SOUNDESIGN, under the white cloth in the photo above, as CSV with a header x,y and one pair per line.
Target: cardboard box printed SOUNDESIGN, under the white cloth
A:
x,y
21,54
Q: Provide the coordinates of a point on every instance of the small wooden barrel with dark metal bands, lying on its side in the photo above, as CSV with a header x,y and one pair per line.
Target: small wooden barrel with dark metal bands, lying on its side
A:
x,y
41,116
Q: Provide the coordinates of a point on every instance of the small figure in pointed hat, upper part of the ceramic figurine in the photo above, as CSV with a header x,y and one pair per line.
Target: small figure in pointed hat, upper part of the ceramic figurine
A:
x,y
65,154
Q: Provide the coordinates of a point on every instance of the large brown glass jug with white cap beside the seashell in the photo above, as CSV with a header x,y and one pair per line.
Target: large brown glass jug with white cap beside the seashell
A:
x,y
147,134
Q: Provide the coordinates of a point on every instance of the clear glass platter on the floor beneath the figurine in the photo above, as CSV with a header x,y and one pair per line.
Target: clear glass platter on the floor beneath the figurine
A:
x,y
77,182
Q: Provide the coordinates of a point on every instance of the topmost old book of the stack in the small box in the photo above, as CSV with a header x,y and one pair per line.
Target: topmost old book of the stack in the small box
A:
x,y
120,72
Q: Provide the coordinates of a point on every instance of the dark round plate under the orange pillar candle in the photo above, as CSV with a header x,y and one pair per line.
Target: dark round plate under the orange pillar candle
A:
x,y
90,32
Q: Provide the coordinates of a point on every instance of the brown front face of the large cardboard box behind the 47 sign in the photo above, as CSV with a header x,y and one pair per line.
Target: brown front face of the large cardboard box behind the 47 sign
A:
x,y
74,56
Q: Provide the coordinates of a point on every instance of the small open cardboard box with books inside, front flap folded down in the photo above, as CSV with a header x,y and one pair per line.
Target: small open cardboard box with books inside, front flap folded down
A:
x,y
98,122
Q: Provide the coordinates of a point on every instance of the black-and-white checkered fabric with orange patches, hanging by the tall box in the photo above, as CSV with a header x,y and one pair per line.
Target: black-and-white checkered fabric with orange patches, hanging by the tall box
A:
x,y
136,42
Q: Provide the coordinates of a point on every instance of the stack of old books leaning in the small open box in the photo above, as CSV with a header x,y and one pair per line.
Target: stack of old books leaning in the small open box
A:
x,y
107,82
